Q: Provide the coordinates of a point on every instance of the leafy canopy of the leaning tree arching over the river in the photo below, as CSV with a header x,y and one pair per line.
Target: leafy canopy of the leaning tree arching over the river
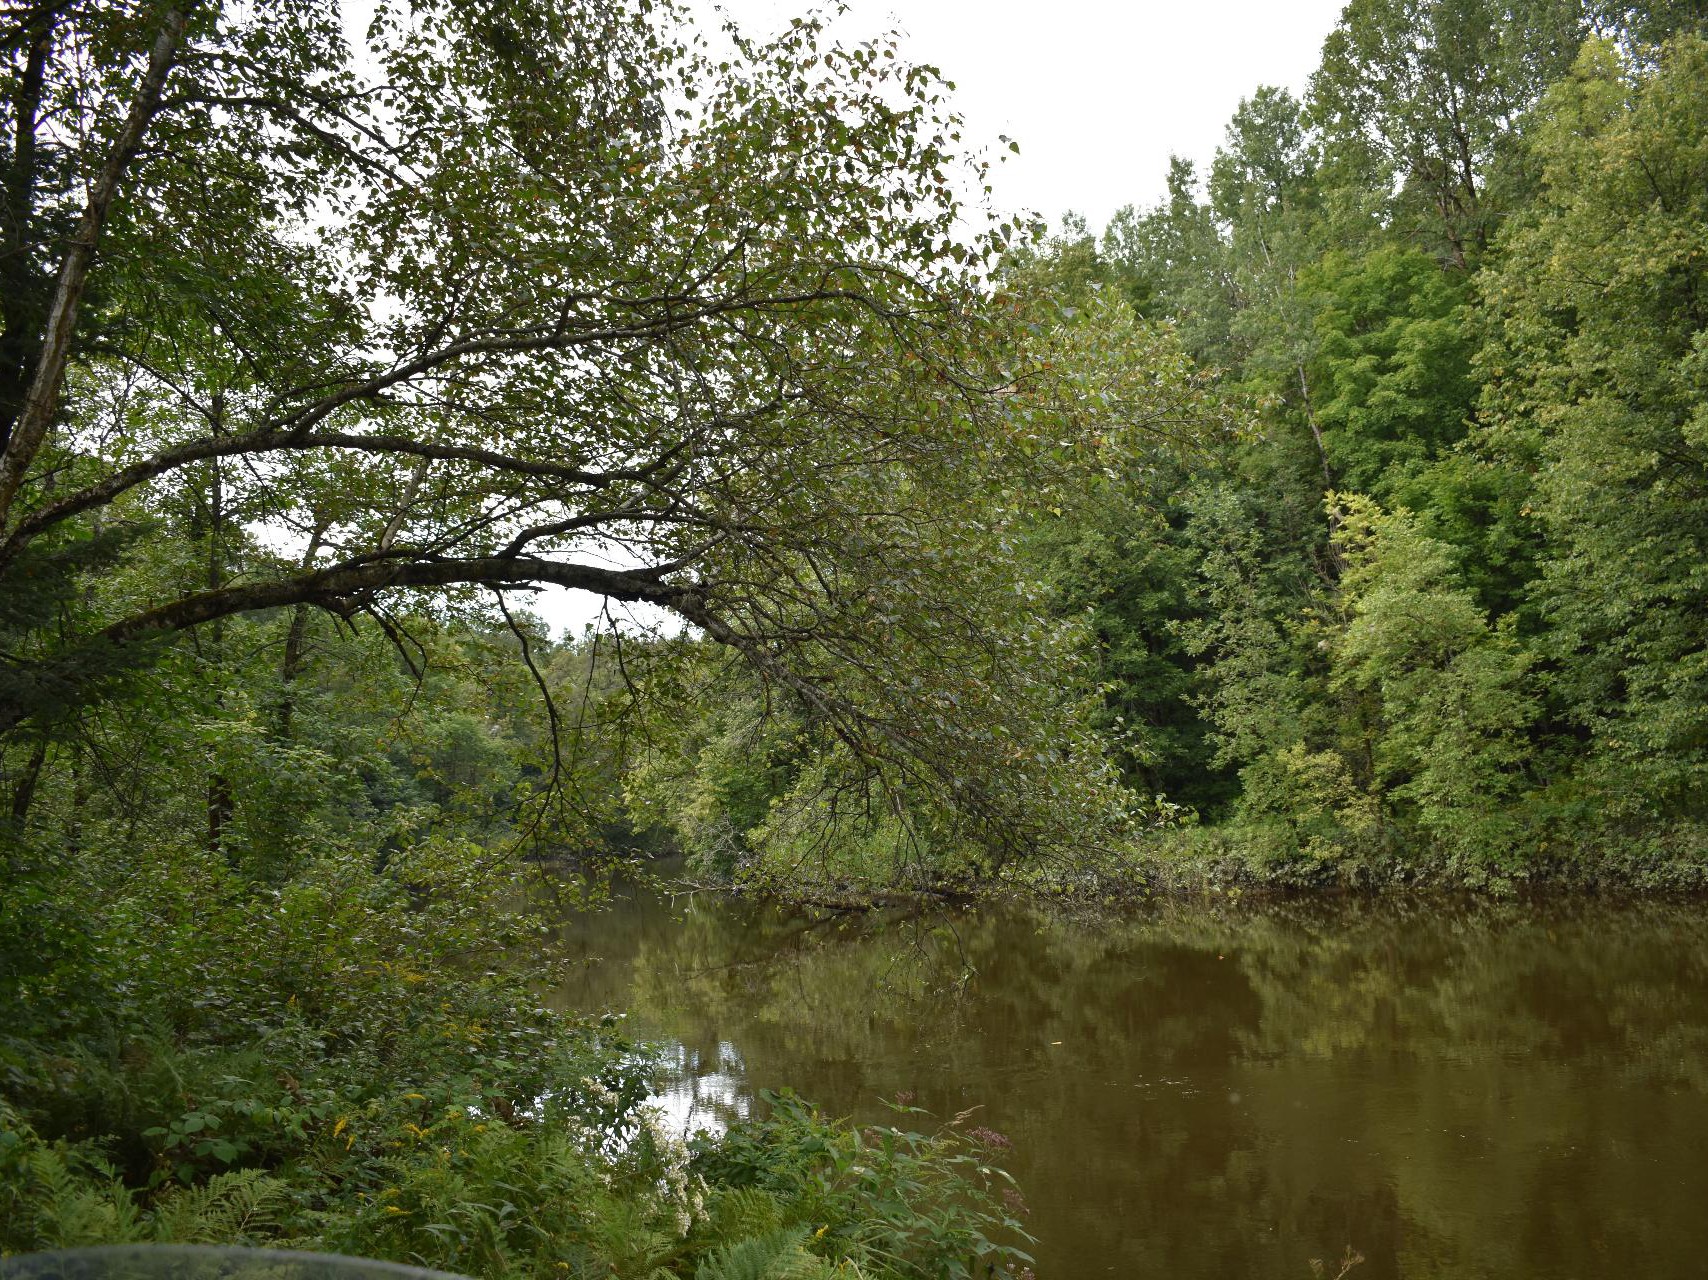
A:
x,y
534,293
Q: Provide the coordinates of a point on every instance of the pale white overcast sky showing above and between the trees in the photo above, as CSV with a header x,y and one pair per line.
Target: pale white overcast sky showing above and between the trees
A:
x,y
1097,93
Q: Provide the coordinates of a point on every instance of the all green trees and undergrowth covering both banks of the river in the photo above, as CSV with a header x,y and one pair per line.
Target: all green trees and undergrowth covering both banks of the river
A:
x,y
1335,522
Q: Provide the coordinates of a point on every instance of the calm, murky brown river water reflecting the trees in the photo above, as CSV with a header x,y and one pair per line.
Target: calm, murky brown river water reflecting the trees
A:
x,y
1198,1091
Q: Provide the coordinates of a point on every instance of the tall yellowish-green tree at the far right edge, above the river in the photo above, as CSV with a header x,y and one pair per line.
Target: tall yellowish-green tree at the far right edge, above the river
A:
x,y
1598,356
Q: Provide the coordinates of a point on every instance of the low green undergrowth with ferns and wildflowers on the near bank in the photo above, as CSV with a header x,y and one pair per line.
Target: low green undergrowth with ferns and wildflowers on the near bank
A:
x,y
378,1079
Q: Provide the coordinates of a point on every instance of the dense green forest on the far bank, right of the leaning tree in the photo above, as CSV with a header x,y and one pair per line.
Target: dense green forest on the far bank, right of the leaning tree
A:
x,y
1418,592
